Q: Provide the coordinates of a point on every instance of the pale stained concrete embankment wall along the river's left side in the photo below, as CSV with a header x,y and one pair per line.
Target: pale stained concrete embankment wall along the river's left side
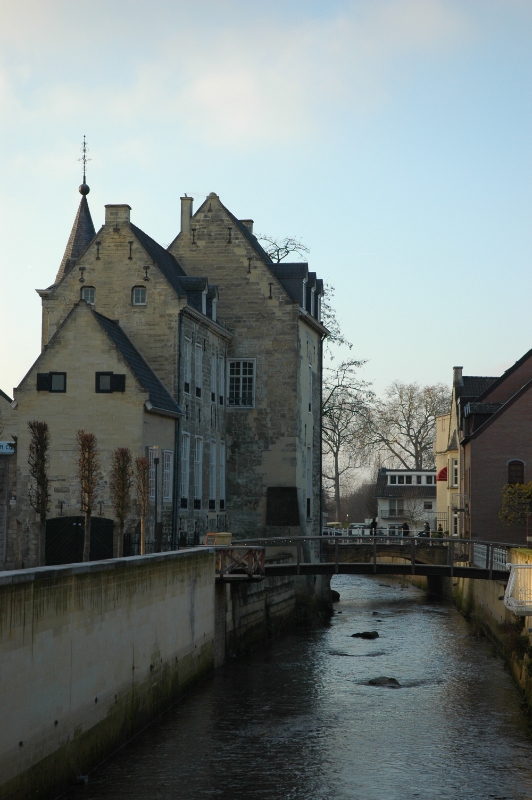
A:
x,y
90,653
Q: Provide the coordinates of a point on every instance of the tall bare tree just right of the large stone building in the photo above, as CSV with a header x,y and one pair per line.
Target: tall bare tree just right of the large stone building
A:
x,y
344,405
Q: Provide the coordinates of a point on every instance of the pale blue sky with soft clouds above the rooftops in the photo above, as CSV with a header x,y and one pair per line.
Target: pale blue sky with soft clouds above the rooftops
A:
x,y
392,137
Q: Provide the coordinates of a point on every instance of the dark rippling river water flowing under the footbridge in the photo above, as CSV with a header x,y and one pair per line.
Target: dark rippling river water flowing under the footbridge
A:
x,y
298,719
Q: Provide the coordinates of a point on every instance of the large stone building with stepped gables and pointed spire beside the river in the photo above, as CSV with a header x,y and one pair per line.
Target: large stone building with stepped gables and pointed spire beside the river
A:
x,y
240,359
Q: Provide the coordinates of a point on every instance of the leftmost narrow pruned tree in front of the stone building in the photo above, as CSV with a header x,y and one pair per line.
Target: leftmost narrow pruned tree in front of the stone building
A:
x,y
39,490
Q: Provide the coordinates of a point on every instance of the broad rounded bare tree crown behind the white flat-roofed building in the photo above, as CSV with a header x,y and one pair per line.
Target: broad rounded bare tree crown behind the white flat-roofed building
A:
x,y
401,429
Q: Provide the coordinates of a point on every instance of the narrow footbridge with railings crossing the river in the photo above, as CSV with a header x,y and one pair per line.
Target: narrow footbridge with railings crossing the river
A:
x,y
256,559
